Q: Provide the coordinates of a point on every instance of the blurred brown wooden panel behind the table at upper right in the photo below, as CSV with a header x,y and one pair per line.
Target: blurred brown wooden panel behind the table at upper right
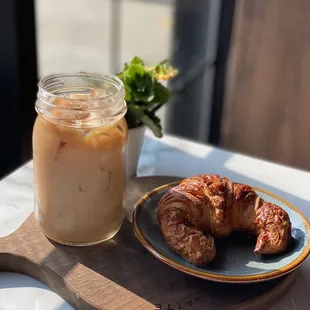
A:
x,y
266,110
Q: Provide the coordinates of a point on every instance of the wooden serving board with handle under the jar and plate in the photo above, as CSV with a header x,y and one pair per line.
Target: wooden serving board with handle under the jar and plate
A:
x,y
121,274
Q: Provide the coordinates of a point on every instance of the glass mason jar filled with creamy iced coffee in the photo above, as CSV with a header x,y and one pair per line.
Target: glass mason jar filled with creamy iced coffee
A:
x,y
79,142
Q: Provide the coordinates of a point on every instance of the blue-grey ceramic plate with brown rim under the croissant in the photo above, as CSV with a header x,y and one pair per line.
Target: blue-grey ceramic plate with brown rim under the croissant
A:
x,y
235,261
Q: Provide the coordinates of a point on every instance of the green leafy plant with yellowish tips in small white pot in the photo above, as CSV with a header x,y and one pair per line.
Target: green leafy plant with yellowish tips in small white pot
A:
x,y
145,94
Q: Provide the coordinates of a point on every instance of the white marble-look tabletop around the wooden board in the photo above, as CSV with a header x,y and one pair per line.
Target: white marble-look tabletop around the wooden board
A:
x,y
168,156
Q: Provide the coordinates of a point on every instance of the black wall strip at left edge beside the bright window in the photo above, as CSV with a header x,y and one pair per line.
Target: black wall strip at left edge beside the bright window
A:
x,y
18,81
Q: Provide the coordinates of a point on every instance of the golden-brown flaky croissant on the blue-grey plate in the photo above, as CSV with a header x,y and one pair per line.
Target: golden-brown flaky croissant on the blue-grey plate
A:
x,y
205,207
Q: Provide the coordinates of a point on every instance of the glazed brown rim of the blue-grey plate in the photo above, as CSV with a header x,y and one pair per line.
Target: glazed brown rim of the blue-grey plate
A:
x,y
221,278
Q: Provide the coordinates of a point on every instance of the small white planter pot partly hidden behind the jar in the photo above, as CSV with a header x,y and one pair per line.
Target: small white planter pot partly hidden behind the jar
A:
x,y
134,145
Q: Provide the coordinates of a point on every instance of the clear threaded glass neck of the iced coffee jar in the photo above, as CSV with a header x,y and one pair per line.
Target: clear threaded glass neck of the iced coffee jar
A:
x,y
81,100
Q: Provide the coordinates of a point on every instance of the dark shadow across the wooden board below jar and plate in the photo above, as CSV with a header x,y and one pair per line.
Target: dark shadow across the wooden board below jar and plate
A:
x,y
125,262
